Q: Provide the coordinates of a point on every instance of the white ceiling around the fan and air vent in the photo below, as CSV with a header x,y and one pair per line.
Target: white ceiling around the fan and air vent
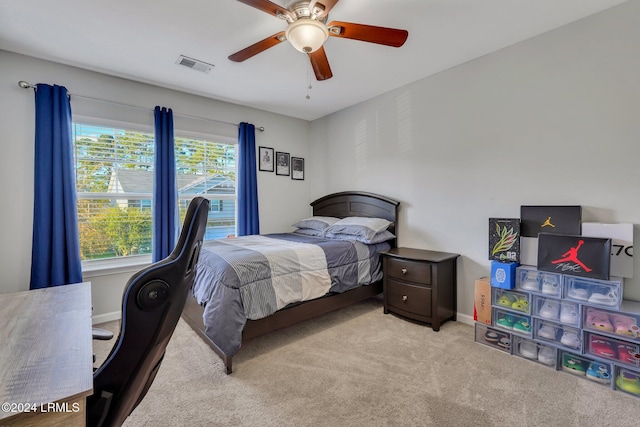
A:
x,y
142,39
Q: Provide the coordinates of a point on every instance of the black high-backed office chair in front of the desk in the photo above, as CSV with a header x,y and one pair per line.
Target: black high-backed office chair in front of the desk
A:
x,y
152,303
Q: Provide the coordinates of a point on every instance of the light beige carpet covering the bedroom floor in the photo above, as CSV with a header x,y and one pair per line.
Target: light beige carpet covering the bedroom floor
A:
x,y
360,367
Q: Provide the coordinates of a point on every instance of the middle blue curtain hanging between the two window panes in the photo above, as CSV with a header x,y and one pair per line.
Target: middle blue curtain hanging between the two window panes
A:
x,y
165,195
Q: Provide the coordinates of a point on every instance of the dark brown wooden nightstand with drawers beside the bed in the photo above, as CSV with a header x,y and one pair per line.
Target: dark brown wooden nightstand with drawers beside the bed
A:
x,y
420,285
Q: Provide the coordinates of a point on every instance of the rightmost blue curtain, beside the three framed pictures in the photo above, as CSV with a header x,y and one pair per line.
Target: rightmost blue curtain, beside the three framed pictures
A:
x,y
248,222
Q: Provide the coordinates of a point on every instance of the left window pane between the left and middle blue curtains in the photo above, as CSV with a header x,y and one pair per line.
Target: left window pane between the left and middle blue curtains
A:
x,y
114,180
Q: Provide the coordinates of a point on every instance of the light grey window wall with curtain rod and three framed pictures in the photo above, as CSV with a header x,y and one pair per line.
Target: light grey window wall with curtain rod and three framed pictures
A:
x,y
281,200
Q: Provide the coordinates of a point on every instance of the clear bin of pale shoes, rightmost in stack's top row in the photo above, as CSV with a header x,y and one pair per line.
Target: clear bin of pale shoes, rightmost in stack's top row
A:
x,y
601,293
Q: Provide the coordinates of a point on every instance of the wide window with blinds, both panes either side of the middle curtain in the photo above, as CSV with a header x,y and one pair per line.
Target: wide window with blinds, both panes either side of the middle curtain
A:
x,y
114,182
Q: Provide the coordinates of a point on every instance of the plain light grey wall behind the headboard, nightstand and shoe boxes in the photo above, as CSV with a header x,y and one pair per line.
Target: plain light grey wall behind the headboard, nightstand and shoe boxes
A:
x,y
553,120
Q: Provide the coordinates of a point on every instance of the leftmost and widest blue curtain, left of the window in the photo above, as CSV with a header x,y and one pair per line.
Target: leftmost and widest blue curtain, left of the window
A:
x,y
55,253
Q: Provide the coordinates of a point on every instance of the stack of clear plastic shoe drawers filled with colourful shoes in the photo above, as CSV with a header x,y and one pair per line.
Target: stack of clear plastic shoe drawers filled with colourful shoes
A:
x,y
568,322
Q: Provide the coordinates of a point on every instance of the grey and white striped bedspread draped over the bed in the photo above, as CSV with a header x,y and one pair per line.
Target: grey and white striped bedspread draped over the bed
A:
x,y
252,277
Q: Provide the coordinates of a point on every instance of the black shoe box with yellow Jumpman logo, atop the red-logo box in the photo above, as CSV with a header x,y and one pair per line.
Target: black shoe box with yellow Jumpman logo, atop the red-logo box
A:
x,y
550,219
